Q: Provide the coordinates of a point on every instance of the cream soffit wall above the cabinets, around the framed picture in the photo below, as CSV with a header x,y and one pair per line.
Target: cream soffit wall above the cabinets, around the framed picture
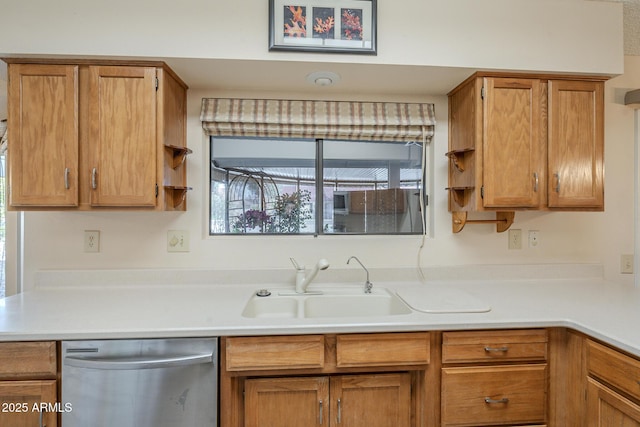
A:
x,y
560,35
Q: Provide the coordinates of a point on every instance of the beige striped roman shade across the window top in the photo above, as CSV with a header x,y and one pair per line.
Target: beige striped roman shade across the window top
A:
x,y
367,121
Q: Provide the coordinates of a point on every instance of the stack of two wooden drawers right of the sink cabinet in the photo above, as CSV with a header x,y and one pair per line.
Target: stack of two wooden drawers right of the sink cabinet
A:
x,y
497,377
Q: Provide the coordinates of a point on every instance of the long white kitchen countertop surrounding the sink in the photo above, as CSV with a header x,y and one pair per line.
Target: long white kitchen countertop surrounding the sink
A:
x,y
604,310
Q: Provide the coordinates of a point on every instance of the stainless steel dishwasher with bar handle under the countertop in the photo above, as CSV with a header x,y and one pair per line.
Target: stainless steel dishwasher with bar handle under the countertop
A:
x,y
140,383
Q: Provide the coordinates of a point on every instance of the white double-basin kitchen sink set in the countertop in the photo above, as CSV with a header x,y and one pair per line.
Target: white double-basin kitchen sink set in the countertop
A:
x,y
338,302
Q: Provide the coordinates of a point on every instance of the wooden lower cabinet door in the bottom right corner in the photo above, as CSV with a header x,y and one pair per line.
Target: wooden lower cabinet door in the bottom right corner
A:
x,y
609,409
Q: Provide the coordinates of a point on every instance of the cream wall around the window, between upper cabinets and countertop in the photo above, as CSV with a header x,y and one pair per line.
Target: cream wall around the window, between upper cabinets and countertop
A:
x,y
138,240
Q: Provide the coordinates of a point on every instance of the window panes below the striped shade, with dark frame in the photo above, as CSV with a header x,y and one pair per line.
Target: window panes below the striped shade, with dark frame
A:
x,y
307,186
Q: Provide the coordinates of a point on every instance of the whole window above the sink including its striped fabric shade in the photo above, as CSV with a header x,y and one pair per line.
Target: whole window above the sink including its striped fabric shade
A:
x,y
317,167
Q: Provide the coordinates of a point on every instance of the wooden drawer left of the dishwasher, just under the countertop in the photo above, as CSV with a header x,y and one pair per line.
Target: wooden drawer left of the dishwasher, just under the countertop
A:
x,y
27,360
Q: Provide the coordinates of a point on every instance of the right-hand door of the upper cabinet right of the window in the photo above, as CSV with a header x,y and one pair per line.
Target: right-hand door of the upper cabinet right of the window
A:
x,y
576,144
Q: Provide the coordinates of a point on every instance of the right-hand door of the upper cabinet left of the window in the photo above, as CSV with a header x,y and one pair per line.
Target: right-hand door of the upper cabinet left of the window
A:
x,y
122,143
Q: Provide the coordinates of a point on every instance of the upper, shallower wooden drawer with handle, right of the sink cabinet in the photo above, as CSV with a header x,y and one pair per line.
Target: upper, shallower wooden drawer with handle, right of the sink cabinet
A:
x,y
498,346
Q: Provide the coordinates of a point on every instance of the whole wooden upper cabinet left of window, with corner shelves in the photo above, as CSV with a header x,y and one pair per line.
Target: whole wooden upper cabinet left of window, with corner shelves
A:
x,y
96,135
